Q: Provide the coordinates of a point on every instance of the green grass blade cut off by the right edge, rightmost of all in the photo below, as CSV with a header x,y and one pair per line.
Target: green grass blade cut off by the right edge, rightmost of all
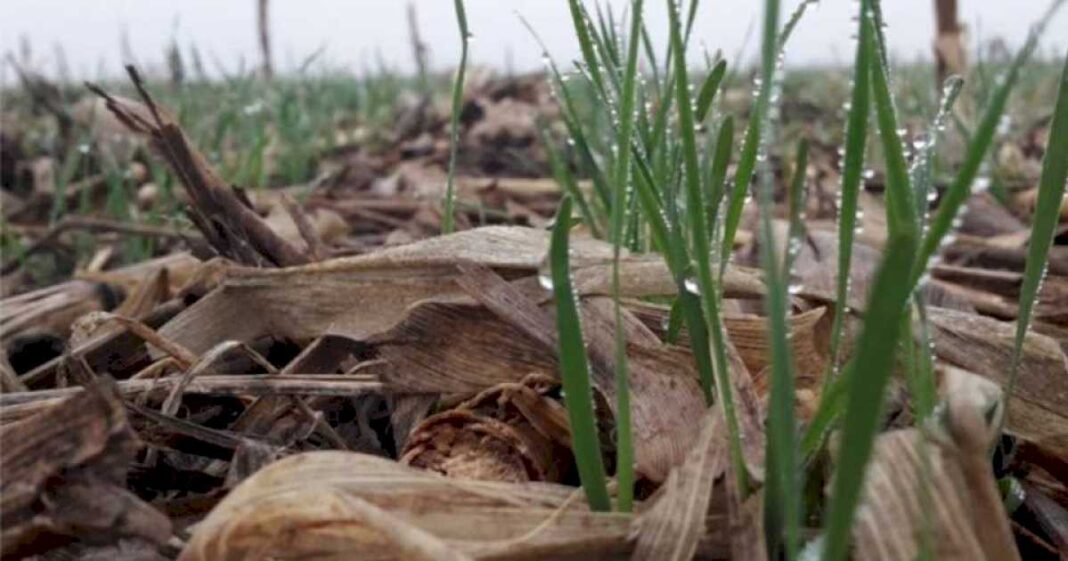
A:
x,y
1051,191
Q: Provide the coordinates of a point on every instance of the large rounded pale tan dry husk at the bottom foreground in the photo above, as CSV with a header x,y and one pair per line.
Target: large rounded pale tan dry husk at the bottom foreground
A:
x,y
334,506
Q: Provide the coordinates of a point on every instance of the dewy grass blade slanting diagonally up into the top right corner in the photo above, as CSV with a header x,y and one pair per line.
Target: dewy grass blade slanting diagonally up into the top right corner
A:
x,y
956,196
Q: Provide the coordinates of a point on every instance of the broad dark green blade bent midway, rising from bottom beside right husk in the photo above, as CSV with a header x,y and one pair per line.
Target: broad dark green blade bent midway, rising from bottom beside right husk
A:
x,y
883,323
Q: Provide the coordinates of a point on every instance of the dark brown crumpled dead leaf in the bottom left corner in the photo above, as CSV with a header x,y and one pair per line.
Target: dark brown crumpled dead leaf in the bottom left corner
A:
x,y
64,476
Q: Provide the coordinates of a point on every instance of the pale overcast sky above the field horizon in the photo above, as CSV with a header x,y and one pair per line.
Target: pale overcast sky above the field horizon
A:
x,y
355,33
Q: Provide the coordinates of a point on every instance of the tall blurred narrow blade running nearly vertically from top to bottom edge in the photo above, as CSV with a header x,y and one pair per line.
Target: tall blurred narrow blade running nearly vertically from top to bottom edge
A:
x,y
782,493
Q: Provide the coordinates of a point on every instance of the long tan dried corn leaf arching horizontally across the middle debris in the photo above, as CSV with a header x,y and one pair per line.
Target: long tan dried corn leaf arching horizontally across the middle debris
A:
x,y
357,298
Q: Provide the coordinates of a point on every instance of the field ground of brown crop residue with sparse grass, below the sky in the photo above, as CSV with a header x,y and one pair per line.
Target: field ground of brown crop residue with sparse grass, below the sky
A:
x,y
225,342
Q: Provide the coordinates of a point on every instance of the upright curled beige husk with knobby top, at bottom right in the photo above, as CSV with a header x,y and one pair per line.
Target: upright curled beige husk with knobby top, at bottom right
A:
x,y
936,486
